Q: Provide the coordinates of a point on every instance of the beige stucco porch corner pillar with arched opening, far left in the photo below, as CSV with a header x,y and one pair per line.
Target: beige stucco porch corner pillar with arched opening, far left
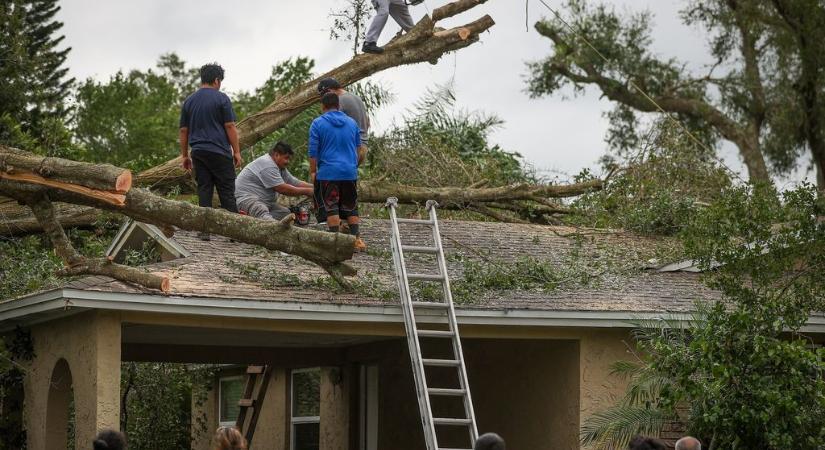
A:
x,y
90,344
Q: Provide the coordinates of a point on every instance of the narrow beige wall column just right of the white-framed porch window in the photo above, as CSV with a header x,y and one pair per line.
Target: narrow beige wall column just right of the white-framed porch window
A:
x,y
335,408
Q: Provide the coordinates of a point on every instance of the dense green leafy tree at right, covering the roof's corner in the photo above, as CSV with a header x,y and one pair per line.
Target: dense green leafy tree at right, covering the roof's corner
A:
x,y
741,374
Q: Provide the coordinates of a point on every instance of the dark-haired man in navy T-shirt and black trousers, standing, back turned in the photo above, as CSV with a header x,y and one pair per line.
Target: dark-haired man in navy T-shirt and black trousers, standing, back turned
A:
x,y
207,125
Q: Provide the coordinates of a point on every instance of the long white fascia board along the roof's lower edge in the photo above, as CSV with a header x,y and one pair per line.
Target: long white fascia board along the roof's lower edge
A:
x,y
59,301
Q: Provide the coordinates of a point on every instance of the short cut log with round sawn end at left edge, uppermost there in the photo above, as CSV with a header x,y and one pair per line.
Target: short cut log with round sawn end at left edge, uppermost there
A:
x,y
27,167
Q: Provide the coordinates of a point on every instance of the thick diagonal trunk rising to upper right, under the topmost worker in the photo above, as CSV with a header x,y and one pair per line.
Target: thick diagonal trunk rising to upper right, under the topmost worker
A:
x,y
423,43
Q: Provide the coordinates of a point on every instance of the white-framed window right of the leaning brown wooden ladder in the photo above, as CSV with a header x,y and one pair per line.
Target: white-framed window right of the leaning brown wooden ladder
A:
x,y
306,409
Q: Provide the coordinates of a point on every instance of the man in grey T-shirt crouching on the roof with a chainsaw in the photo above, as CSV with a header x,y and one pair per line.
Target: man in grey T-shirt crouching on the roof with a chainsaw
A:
x,y
260,183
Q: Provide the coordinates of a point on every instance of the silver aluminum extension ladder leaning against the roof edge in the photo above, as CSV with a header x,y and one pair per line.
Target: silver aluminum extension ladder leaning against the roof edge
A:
x,y
414,334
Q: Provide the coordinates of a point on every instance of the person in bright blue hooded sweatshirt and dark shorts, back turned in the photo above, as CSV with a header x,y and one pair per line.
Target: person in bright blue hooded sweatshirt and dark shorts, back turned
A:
x,y
334,139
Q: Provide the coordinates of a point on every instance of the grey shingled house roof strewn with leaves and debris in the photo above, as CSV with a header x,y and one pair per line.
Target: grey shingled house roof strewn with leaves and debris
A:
x,y
596,270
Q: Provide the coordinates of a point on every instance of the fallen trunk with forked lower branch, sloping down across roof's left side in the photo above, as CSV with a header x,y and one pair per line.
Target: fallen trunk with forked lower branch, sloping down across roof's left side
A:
x,y
329,250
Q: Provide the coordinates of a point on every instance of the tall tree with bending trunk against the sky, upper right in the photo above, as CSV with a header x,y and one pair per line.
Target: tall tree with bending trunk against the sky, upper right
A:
x,y
748,104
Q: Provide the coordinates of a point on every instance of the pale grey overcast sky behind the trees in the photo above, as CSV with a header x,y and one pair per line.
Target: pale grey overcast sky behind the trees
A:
x,y
249,36
